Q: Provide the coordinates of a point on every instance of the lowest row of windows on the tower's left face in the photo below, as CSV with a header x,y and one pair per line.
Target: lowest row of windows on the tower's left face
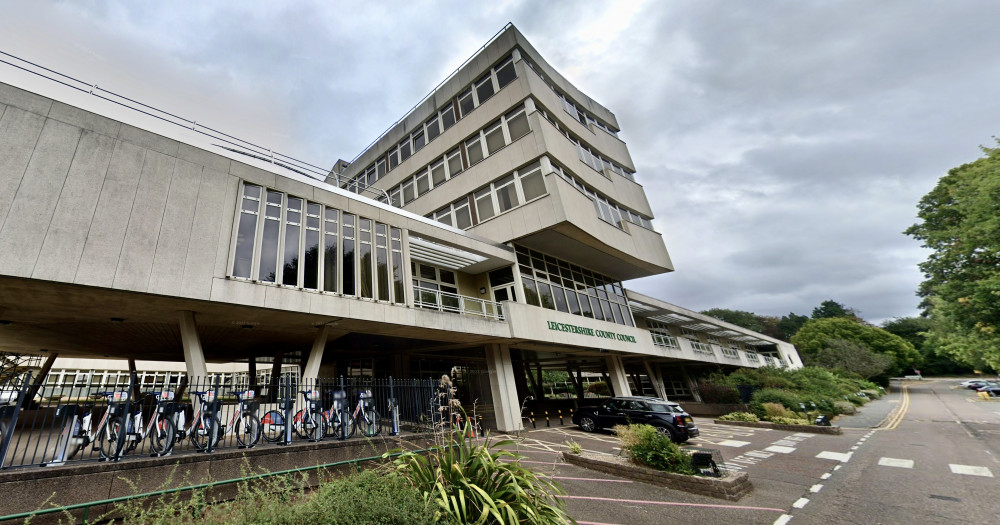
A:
x,y
515,189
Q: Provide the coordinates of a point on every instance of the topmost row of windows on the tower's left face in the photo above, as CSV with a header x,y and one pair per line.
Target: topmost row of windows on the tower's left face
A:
x,y
483,88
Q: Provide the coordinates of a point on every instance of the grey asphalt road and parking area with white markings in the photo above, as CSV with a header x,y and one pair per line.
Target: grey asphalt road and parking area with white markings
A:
x,y
863,476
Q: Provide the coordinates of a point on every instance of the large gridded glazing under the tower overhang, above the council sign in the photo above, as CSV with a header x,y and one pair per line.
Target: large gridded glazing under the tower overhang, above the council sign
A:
x,y
557,285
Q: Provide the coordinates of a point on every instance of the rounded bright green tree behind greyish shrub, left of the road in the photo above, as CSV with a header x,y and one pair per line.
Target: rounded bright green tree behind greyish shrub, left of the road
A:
x,y
816,335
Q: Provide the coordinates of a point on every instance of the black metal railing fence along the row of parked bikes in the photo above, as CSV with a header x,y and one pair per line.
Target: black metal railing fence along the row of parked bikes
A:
x,y
48,425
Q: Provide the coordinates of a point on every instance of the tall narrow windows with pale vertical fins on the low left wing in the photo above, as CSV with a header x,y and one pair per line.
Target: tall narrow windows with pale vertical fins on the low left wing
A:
x,y
287,240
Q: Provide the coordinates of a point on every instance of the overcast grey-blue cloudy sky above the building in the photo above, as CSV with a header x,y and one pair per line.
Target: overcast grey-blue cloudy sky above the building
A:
x,y
784,145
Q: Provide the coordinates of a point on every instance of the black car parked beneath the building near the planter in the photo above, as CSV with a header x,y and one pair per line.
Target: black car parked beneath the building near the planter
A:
x,y
669,418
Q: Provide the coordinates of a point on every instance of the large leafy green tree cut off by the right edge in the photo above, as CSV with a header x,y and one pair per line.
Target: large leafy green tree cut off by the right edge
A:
x,y
960,224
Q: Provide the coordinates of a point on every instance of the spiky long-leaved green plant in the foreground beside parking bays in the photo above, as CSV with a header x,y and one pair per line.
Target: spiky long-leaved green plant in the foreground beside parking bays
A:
x,y
482,484
